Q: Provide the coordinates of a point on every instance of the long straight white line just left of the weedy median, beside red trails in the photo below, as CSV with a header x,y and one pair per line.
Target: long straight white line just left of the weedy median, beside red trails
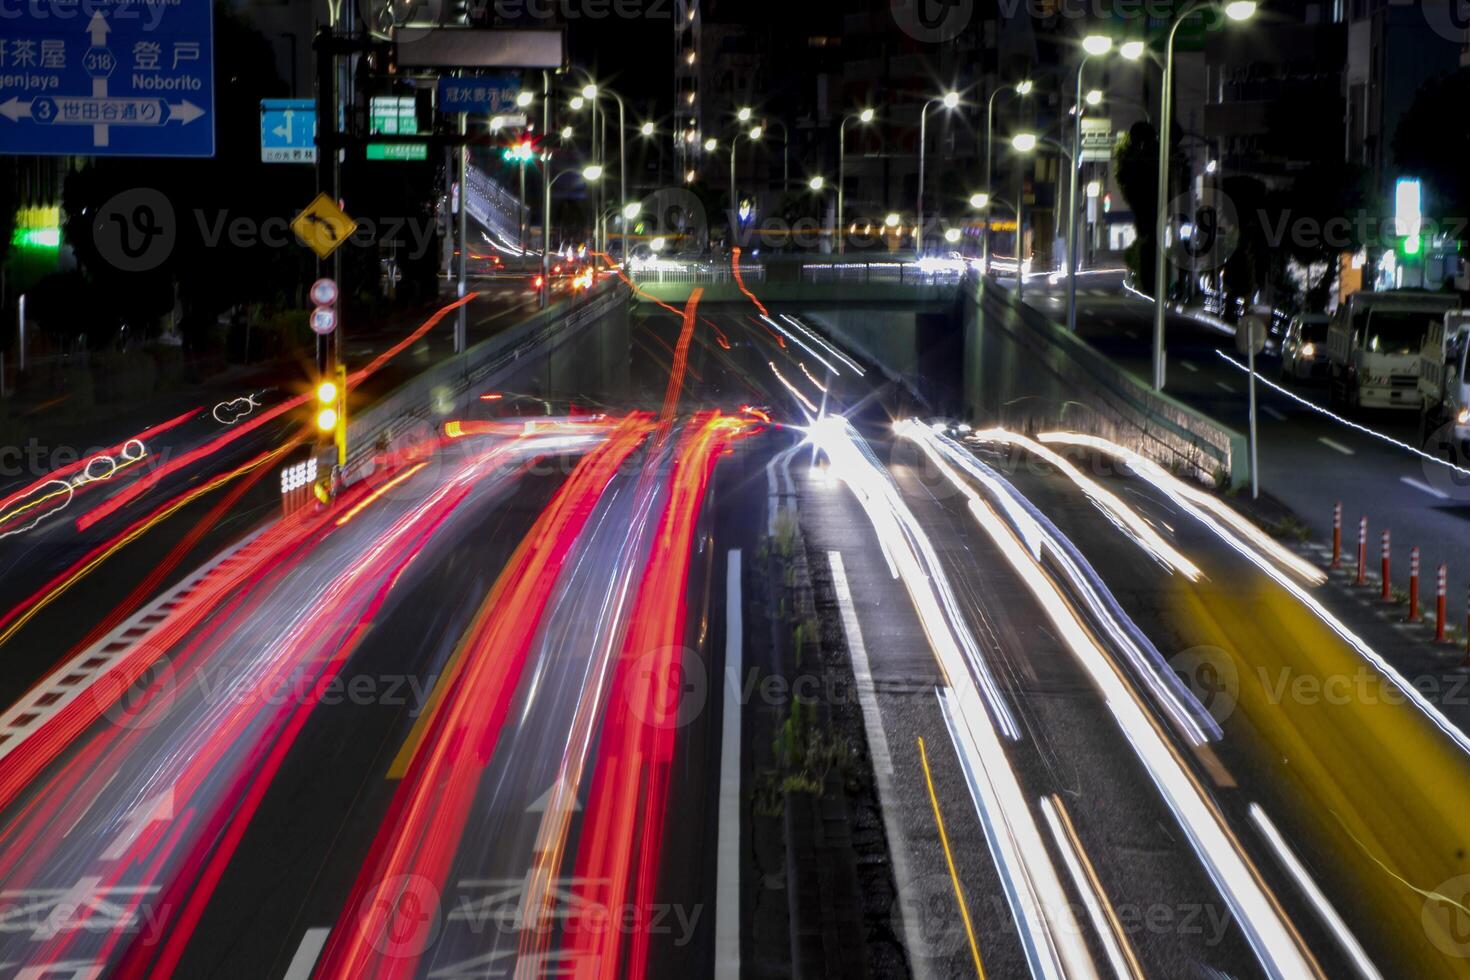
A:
x,y
727,854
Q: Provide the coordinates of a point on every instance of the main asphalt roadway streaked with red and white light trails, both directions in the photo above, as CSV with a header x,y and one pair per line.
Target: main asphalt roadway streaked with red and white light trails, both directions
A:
x,y
448,727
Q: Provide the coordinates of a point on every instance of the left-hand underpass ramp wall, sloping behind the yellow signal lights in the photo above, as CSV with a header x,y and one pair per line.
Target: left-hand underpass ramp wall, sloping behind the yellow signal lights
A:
x,y
423,403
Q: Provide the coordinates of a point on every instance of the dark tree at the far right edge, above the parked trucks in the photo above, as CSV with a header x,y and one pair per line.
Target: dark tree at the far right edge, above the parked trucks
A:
x,y
1434,146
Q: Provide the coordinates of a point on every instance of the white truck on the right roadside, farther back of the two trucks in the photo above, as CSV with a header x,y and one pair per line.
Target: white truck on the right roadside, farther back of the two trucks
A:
x,y
1374,347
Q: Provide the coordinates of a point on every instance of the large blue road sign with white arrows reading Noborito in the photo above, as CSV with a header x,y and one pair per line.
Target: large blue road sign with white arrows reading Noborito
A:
x,y
108,79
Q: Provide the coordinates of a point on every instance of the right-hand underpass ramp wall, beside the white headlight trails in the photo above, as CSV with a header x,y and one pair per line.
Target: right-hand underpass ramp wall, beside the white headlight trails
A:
x,y
1097,396
